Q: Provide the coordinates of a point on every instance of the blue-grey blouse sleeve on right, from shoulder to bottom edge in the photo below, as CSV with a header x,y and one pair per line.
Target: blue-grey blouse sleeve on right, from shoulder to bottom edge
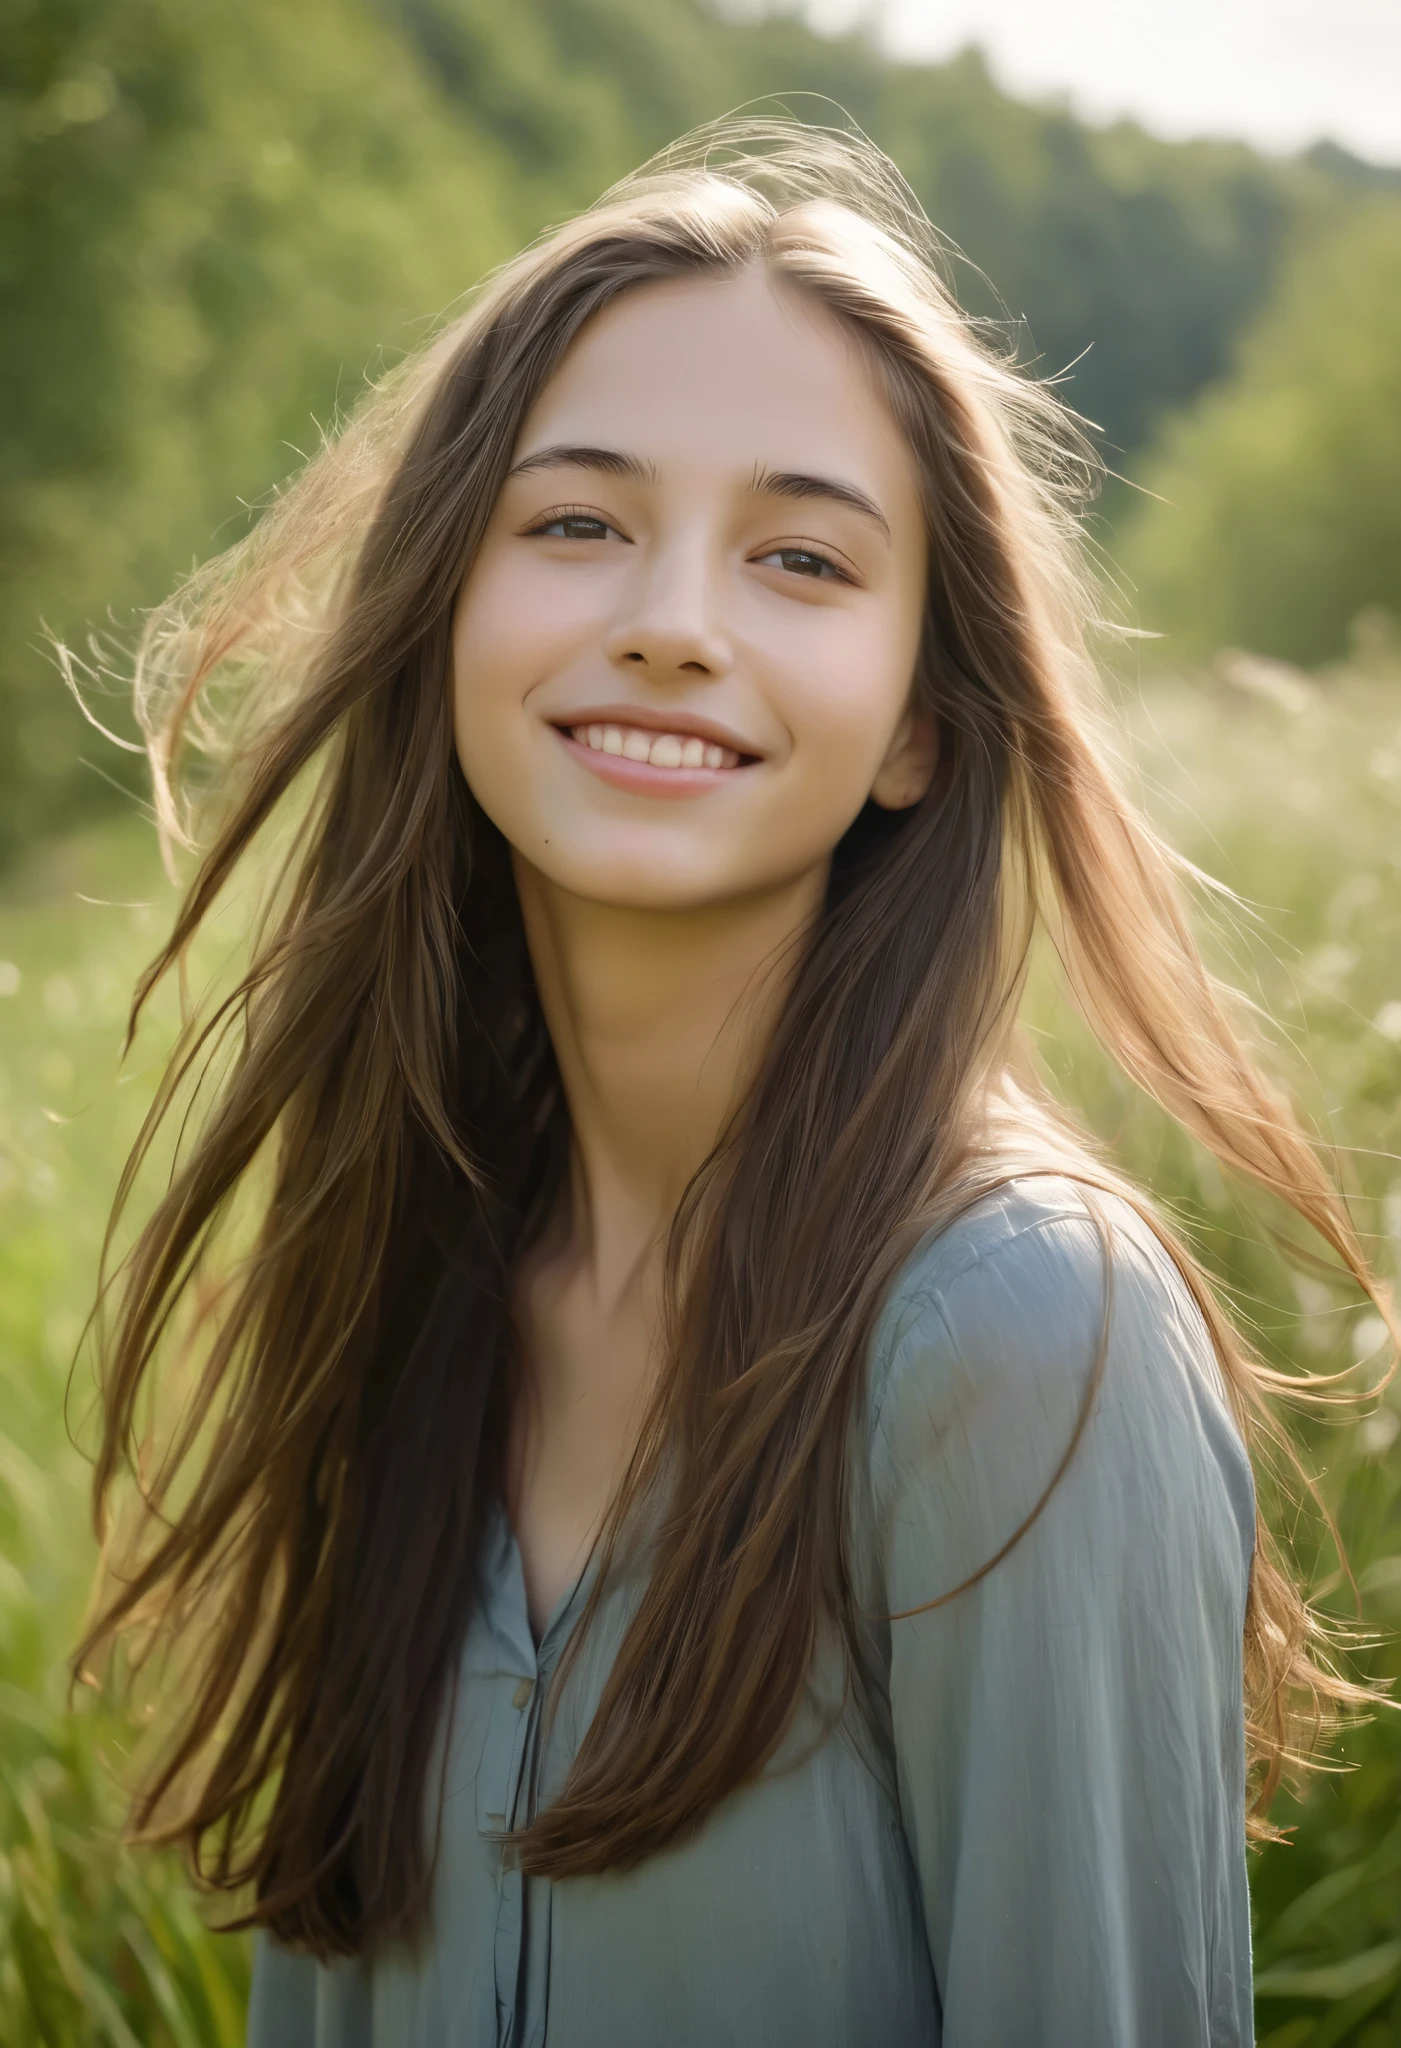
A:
x,y
1070,1730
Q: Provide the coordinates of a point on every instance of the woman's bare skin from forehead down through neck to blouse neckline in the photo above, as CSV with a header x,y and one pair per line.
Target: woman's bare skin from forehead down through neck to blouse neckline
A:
x,y
681,671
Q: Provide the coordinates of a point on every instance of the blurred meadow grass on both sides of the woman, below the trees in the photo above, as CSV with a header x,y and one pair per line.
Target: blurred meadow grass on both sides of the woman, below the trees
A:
x,y
1287,790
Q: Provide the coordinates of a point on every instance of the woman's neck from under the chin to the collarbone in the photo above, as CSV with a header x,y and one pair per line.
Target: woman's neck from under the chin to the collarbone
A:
x,y
659,1023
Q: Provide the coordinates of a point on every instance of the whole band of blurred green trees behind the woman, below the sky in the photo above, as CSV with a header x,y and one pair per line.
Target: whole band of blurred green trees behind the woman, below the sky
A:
x,y
216,220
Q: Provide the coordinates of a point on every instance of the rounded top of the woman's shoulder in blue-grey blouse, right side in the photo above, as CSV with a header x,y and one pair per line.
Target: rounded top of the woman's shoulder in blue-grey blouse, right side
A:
x,y
996,1326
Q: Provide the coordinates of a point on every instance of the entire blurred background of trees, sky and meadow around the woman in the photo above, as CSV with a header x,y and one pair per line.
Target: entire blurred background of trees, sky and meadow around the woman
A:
x,y
216,220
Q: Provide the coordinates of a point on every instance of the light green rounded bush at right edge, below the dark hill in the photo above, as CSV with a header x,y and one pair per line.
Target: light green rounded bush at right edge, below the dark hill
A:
x,y
1281,515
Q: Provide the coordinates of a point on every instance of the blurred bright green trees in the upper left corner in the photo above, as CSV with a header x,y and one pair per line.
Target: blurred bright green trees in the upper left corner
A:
x,y
210,224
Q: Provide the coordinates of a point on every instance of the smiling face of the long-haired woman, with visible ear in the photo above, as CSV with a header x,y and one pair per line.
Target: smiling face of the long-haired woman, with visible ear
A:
x,y
685,652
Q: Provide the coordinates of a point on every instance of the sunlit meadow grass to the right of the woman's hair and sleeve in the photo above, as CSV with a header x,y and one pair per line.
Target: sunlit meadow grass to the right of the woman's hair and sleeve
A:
x,y
1289,790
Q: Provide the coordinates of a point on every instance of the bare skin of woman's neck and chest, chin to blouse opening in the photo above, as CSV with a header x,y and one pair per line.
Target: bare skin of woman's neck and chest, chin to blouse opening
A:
x,y
654,1035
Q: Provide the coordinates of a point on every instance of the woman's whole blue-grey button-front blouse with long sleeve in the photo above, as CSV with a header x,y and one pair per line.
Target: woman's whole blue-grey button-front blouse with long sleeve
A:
x,y
1039,1842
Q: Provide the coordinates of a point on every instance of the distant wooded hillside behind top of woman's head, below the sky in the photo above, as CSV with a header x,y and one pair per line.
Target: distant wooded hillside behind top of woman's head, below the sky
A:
x,y
1134,255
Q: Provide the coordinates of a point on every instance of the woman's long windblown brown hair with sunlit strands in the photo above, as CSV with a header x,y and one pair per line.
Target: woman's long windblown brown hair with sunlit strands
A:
x,y
386,1132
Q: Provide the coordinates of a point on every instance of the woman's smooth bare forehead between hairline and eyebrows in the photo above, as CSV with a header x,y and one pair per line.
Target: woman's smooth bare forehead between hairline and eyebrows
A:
x,y
726,374
